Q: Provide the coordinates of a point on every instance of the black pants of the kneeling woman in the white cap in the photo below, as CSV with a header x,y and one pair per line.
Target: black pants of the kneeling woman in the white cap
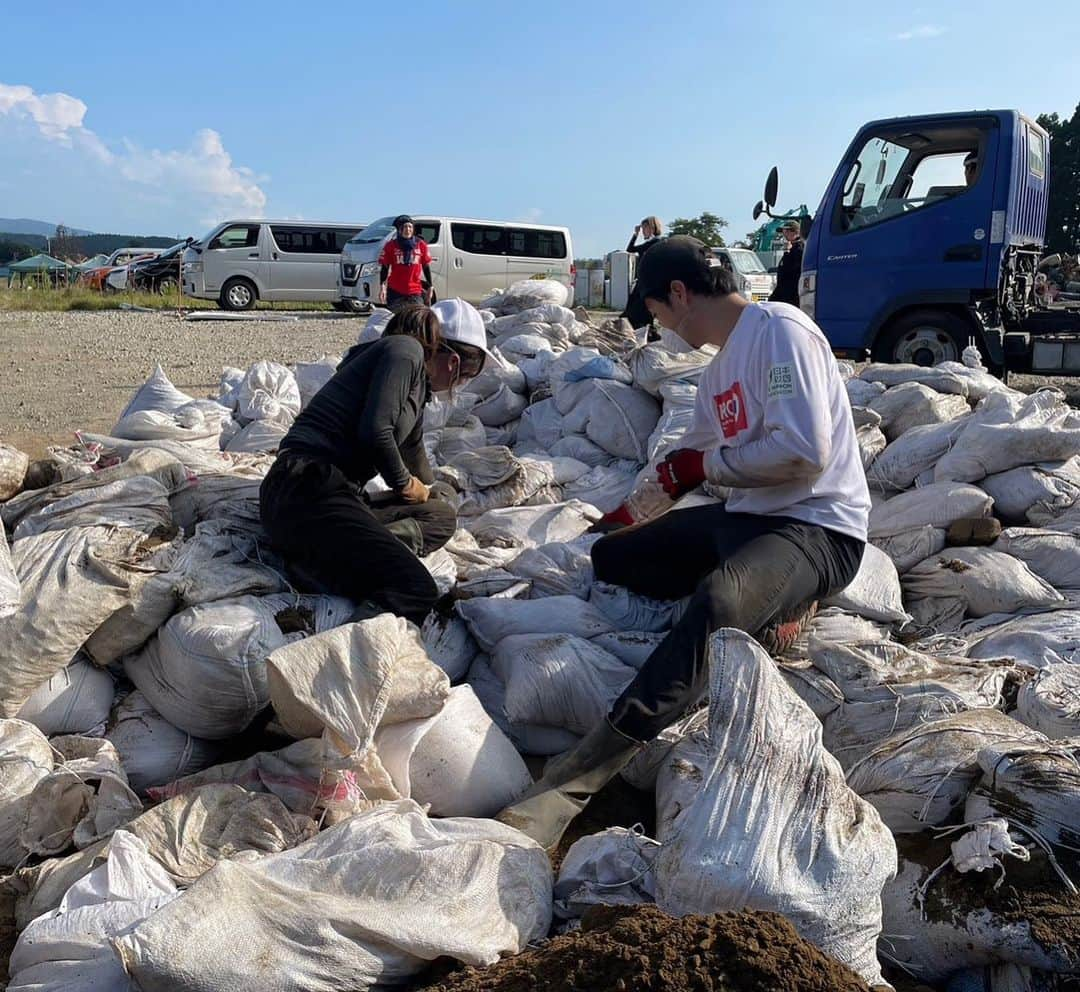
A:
x,y
322,524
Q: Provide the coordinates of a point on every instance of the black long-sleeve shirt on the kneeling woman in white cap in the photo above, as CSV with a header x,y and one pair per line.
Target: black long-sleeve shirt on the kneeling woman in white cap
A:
x,y
369,419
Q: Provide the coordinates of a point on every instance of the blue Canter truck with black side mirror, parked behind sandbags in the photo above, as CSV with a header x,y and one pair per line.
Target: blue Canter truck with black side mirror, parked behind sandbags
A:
x,y
930,237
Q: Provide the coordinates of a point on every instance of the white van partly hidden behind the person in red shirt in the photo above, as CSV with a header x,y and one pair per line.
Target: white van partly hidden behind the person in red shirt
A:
x,y
469,259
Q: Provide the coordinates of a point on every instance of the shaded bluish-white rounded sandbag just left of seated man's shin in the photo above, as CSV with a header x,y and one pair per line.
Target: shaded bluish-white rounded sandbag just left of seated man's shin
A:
x,y
559,680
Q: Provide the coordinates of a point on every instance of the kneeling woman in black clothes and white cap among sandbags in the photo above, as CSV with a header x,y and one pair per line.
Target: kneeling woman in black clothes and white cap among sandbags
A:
x,y
368,422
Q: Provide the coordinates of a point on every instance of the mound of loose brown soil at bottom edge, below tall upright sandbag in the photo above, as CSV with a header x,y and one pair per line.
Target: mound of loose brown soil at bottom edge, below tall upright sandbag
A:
x,y
641,949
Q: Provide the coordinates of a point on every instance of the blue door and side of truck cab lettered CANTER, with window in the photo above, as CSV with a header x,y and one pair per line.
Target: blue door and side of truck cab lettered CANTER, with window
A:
x,y
904,228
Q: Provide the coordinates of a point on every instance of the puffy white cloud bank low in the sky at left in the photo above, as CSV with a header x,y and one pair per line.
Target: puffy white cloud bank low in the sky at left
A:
x,y
200,181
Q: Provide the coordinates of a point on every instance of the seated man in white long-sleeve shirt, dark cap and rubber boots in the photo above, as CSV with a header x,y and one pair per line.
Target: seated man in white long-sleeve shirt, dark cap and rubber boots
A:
x,y
774,425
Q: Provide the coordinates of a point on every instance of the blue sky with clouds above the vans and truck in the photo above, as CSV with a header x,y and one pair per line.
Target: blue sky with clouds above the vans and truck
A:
x,y
164,118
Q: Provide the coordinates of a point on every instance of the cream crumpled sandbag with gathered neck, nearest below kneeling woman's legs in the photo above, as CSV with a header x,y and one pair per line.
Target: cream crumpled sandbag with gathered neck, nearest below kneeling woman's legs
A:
x,y
352,678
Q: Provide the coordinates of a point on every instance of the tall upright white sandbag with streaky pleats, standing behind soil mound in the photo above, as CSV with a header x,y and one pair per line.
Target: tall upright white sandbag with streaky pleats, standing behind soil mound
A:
x,y
775,826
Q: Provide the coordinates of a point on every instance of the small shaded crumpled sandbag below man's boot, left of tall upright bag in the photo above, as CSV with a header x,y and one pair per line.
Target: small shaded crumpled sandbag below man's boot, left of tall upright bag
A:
x,y
612,868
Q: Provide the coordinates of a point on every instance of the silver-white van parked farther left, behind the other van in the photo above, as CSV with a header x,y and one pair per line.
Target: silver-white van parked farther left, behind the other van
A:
x,y
241,262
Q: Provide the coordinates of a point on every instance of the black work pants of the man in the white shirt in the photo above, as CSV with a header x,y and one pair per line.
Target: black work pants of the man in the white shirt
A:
x,y
741,570
